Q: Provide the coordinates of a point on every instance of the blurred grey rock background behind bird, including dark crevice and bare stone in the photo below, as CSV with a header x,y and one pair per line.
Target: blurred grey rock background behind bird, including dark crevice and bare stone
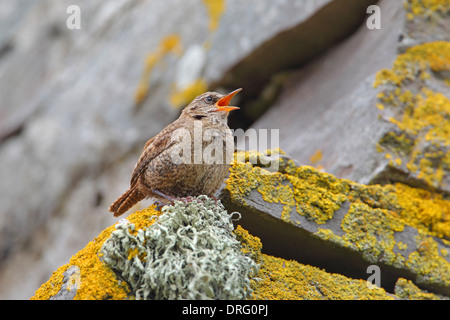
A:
x,y
76,106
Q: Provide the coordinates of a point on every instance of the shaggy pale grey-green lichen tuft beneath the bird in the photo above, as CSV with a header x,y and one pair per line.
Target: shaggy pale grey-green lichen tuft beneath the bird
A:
x,y
189,252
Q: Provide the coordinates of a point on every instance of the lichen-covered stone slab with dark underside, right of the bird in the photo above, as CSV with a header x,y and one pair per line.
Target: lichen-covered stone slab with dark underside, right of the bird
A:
x,y
318,219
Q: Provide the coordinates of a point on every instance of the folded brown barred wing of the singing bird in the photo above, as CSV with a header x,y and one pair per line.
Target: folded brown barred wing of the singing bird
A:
x,y
154,147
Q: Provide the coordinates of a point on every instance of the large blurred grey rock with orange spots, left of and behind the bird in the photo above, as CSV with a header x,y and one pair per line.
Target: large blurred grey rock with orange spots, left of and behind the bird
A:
x,y
74,117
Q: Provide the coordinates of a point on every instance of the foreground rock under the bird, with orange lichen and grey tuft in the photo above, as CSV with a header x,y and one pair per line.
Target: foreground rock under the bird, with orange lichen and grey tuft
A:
x,y
191,251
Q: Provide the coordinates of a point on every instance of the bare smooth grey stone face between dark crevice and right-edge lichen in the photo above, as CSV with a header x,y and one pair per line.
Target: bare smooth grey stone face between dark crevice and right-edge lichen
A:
x,y
330,104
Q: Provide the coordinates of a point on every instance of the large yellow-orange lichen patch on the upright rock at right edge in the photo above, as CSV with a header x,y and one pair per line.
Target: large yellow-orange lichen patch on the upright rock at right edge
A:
x,y
420,140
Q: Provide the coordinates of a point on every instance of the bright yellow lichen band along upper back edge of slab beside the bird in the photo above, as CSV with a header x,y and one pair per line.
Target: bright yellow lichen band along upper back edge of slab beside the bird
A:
x,y
318,195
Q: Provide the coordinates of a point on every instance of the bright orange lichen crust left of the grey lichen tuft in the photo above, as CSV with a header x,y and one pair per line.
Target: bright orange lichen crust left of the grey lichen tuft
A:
x,y
96,280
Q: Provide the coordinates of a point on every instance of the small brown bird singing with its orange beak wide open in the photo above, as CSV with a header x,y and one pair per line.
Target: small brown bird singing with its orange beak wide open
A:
x,y
189,157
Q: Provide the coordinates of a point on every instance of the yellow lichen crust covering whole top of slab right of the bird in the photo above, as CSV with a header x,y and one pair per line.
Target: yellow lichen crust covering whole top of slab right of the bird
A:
x,y
375,215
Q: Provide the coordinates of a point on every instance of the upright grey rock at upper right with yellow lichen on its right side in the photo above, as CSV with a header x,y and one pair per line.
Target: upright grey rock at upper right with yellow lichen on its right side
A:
x,y
330,116
